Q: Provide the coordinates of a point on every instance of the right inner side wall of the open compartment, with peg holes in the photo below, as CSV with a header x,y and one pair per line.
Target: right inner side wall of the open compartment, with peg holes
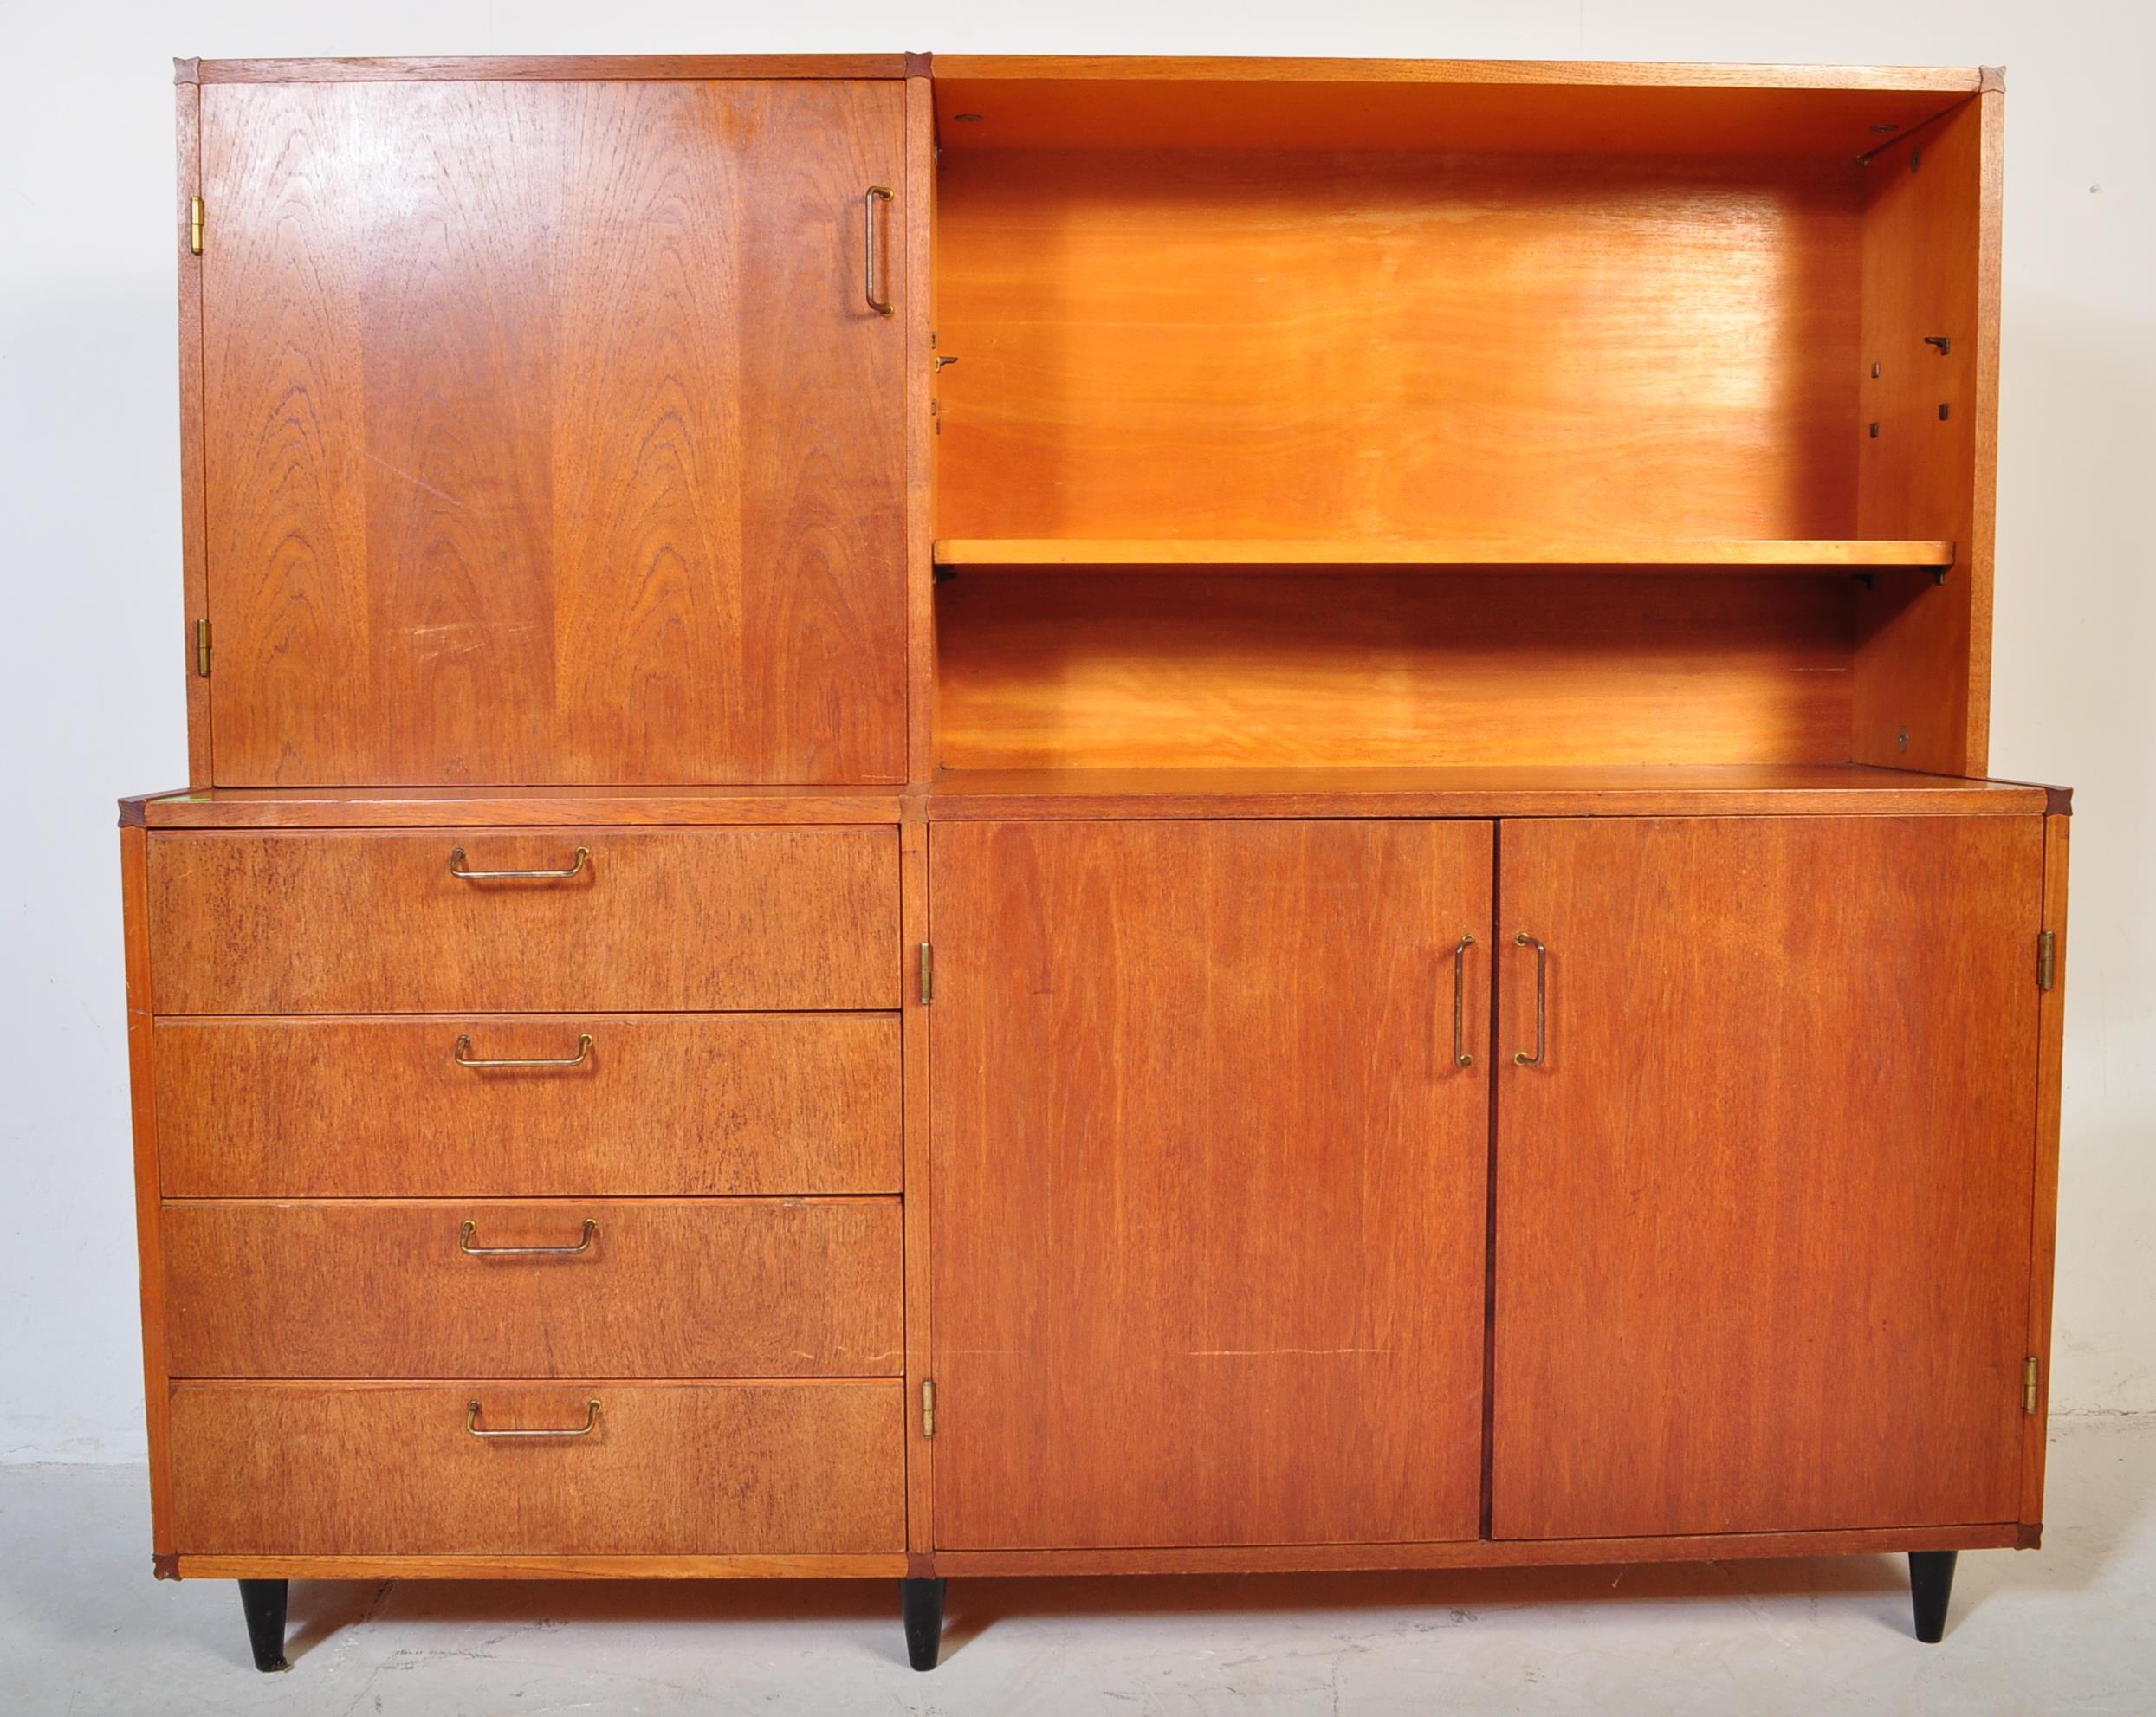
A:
x,y
1931,269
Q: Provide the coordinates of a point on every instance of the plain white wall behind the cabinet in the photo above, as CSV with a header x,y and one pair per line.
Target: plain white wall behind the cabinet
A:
x,y
92,681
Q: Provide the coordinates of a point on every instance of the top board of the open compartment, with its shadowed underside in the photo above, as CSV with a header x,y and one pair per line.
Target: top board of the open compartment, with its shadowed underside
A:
x,y
1478,107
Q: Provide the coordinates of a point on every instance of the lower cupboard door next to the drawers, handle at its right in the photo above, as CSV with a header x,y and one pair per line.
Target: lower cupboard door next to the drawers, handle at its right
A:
x,y
1208,1183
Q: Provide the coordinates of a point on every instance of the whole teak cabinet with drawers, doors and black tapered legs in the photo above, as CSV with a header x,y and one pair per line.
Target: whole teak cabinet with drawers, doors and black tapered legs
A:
x,y
1053,814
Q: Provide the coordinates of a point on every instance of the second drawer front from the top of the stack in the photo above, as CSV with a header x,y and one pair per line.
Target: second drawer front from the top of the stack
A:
x,y
663,1105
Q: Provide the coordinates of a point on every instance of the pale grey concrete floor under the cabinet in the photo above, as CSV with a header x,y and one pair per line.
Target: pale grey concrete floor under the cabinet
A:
x,y
2064,1630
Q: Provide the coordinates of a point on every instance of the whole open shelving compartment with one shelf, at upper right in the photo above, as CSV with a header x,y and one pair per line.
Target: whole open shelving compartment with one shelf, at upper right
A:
x,y
1370,415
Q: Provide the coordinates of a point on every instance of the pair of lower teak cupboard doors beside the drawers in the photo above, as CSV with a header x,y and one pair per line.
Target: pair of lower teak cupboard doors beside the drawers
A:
x,y
1691,1196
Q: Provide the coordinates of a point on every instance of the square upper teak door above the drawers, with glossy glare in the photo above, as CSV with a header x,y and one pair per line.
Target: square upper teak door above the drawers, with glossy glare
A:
x,y
549,432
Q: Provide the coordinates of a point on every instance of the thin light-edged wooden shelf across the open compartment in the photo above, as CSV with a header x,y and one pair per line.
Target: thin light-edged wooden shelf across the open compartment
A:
x,y
1525,553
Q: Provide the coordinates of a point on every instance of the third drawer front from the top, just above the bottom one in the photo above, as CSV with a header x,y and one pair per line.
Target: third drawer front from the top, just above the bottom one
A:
x,y
626,1289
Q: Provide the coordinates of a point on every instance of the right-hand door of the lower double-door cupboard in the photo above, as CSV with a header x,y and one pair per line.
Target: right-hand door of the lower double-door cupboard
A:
x,y
1763,1209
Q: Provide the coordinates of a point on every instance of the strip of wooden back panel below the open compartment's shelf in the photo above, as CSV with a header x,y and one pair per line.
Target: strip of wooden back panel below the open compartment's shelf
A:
x,y
1392,670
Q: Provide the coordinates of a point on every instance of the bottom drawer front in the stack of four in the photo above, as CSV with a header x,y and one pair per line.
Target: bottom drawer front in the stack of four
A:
x,y
665,1470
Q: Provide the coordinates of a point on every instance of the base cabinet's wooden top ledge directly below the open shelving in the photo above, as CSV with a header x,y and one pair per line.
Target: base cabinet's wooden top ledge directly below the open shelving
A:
x,y
1823,791
